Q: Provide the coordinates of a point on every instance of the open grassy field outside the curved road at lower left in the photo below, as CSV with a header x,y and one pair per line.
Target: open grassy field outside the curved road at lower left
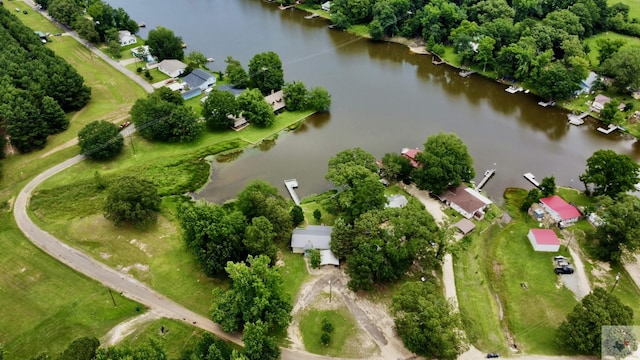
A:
x,y
45,304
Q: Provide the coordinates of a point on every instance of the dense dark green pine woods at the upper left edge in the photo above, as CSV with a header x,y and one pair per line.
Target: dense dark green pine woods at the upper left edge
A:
x,y
36,87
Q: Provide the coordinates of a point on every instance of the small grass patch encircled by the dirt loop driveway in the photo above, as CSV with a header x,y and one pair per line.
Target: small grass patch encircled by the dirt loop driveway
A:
x,y
343,337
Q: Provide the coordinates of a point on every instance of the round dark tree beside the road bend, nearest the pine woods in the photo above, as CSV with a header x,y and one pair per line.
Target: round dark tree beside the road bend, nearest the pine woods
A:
x,y
100,140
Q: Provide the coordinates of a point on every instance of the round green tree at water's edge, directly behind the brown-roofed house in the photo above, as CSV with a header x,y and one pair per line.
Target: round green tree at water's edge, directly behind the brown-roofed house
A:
x,y
444,162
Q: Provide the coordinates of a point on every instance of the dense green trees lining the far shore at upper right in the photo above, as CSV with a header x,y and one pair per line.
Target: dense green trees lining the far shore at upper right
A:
x,y
538,43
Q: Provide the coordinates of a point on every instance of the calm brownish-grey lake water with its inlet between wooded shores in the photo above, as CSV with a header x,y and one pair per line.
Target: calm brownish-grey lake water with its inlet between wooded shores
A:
x,y
384,99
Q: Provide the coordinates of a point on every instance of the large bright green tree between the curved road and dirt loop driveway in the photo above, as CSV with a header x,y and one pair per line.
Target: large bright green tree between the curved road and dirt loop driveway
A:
x,y
256,293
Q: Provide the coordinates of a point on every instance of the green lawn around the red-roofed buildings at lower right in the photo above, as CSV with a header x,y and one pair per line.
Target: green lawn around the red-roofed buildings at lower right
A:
x,y
491,265
